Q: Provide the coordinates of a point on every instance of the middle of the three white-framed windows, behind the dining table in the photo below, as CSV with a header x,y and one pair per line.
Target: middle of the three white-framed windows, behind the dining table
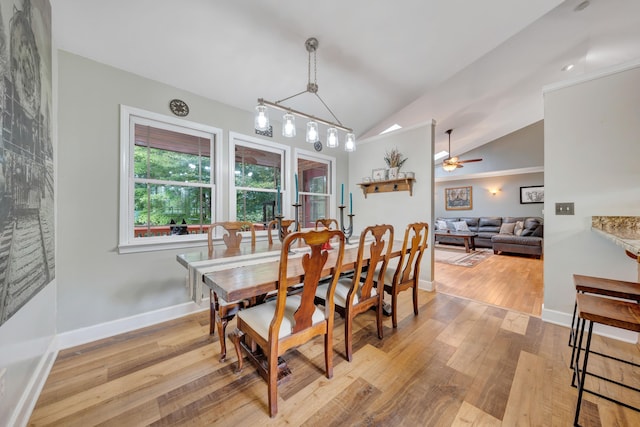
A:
x,y
257,175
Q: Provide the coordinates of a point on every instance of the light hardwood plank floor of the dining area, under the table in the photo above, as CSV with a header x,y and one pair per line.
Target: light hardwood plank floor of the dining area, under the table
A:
x,y
459,362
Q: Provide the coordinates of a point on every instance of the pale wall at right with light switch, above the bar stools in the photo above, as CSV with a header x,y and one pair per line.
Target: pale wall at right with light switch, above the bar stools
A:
x,y
592,151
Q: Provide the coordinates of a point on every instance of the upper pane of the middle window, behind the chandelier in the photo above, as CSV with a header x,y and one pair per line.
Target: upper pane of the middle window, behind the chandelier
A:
x,y
256,168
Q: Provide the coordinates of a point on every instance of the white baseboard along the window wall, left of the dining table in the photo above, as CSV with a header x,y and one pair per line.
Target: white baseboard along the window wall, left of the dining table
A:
x,y
127,324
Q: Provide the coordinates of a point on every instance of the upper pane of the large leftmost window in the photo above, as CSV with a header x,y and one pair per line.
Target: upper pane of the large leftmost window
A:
x,y
171,156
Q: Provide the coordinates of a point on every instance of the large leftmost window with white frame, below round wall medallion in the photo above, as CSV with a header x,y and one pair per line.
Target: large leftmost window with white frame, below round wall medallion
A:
x,y
168,192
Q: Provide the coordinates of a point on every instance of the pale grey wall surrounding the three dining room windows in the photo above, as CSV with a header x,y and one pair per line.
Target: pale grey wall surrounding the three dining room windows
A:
x,y
98,288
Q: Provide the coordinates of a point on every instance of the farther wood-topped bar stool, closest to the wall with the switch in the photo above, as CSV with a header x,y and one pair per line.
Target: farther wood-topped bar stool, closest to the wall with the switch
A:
x,y
604,287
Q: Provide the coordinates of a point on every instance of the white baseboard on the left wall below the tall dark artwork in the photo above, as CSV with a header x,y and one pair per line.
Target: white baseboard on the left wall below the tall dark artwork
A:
x,y
29,398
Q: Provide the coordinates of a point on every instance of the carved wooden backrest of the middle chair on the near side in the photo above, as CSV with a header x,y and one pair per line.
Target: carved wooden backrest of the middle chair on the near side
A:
x,y
379,252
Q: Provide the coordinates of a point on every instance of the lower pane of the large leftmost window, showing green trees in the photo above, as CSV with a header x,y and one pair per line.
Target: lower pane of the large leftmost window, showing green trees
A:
x,y
155,206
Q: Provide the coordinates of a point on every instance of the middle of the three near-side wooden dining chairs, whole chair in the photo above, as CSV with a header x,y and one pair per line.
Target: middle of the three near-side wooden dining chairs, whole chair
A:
x,y
358,294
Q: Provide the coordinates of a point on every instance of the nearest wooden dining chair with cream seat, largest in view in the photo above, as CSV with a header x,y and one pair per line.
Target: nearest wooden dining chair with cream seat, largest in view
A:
x,y
291,320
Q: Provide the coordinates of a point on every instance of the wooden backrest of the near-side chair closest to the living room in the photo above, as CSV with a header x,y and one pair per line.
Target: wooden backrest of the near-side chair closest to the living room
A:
x,y
415,242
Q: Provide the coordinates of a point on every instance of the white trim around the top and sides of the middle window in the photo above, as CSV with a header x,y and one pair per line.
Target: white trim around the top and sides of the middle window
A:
x,y
259,144
